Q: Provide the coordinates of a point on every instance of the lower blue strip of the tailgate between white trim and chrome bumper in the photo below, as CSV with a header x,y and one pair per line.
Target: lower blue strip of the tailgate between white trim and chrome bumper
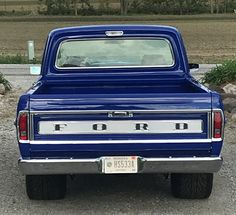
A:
x,y
143,150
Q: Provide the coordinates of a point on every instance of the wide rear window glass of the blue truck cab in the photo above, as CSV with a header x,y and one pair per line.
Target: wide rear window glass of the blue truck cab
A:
x,y
114,53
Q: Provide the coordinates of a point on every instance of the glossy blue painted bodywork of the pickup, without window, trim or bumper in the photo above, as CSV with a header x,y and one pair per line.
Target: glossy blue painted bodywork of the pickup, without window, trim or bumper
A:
x,y
118,89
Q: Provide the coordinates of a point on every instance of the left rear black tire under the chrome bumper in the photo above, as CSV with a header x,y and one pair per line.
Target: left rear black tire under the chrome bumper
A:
x,y
46,187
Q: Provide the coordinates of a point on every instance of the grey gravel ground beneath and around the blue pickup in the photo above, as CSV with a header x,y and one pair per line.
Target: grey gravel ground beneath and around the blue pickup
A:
x,y
144,194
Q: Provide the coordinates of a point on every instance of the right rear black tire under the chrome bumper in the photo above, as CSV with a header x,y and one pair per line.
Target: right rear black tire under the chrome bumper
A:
x,y
192,186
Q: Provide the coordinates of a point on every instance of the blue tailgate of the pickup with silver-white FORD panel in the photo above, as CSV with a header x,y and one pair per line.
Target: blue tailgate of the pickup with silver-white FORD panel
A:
x,y
144,124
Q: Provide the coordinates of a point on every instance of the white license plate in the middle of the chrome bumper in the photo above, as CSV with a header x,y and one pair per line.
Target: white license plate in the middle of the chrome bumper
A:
x,y
118,165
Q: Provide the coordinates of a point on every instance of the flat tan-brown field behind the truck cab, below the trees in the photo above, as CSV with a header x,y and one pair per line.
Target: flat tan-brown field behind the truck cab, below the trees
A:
x,y
208,39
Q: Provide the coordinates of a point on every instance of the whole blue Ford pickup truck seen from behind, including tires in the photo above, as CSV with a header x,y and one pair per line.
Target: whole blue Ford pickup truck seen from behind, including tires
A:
x,y
118,99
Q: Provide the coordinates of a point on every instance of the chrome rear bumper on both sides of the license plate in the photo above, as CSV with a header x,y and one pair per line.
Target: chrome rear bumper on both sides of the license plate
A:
x,y
145,165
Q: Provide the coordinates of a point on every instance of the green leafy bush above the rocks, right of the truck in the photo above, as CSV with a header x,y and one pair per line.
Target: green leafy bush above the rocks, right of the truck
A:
x,y
226,73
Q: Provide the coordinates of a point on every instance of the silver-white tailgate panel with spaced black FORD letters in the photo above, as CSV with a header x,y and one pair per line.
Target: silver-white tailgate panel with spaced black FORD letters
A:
x,y
120,127
